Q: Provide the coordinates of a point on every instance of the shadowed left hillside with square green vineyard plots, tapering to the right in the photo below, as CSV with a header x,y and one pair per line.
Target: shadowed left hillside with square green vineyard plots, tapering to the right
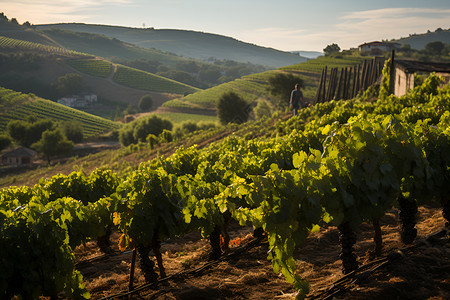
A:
x,y
31,67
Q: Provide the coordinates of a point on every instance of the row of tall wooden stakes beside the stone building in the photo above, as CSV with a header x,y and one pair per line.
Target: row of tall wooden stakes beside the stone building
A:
x,y
347,82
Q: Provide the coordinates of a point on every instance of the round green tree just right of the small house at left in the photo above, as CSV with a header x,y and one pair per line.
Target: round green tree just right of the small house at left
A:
x,y
53,142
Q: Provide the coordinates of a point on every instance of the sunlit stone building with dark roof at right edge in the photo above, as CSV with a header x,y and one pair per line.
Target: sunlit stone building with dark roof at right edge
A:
x,y
404,71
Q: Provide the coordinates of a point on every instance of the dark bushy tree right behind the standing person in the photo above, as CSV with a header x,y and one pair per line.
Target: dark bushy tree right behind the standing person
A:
x,y
281,86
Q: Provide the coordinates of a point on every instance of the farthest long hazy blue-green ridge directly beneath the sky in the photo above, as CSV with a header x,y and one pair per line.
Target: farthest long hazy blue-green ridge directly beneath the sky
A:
x,y
192,44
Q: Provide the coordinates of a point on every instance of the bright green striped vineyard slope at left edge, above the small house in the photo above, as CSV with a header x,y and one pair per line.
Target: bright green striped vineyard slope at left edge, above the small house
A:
x,y
19,106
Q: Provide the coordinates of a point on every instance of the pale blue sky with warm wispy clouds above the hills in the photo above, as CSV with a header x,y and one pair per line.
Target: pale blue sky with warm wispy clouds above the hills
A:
x,y
281,24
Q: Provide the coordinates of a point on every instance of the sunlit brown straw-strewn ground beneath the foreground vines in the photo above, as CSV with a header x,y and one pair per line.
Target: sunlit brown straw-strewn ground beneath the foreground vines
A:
x,y
422,273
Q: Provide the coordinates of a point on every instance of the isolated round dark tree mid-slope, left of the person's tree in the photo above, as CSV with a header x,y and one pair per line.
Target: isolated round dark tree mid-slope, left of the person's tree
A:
x,y
231,108
